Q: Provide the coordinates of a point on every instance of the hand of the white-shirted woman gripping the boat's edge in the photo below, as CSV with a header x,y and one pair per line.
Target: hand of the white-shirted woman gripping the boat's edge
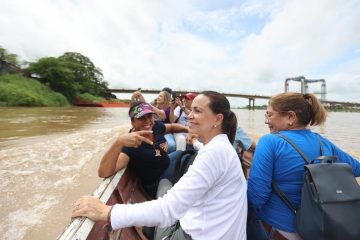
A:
x,y
91,207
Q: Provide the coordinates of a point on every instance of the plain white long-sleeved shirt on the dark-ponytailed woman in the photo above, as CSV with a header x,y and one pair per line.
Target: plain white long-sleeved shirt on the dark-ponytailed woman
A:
x,y
210,199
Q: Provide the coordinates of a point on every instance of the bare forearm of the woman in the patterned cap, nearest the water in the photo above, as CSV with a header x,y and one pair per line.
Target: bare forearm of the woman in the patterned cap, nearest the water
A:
x,y
108,162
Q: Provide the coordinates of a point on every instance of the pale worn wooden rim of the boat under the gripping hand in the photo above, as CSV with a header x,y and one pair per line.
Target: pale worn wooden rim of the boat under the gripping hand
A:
x,y
80,228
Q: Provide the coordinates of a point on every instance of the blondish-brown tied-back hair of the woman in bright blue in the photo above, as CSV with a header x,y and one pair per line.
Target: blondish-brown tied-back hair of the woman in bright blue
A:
x,y
307,107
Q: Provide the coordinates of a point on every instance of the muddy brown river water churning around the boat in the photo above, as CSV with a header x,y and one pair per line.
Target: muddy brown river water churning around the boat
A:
x,y
49,157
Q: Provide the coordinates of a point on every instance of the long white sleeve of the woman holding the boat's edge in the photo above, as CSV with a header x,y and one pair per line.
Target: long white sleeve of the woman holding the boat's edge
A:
x,y
172,206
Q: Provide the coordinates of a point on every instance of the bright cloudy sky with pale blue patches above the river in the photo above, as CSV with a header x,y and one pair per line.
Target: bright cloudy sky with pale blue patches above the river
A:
x,y
234,46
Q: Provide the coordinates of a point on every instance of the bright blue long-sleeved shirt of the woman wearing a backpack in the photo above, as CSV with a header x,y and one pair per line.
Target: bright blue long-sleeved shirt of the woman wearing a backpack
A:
x,y
277,160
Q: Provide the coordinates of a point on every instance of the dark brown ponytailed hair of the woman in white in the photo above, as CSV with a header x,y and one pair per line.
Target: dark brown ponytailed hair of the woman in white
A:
x,y
220,104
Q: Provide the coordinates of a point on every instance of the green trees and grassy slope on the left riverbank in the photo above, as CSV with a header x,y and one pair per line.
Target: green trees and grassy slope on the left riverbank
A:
x,y
51,81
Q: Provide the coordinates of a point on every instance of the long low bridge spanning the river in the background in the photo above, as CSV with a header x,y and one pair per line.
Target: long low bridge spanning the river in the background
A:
x,y
251,97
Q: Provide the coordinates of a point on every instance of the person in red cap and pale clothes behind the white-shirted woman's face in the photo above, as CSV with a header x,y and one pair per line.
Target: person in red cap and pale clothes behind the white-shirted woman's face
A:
x,y
179,114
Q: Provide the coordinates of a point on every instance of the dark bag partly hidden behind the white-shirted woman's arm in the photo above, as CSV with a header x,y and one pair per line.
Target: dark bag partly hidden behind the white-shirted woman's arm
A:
x,y
185,159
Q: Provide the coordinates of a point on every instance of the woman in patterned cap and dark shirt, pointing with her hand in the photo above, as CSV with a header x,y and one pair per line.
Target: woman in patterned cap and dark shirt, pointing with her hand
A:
x,y
147,157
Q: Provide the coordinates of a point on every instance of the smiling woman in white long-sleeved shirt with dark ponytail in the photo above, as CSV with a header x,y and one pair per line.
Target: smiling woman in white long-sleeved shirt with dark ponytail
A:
x,y
209,200
